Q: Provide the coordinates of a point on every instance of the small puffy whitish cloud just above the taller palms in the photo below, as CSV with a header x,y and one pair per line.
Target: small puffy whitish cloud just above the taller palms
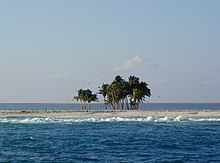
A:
x,y
129,64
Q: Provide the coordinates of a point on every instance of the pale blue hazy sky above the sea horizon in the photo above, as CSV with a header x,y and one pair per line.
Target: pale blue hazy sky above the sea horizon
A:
x,y
51,48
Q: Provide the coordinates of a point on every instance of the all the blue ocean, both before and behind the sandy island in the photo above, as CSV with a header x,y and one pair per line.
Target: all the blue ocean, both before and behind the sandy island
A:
x,y
109,139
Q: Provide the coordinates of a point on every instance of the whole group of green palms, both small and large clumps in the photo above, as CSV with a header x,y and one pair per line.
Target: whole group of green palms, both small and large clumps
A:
x,y
120,94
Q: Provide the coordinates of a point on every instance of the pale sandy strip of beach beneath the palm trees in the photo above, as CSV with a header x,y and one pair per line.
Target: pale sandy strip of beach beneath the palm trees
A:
x,y
128,113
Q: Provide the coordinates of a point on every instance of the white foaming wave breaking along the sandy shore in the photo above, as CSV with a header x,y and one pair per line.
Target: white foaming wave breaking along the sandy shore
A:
x,y
69,120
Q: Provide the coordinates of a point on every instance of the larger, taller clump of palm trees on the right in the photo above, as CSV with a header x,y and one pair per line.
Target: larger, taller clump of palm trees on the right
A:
x,y
119,91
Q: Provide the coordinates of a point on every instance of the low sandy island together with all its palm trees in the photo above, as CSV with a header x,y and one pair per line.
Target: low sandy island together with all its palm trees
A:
x,y
121,98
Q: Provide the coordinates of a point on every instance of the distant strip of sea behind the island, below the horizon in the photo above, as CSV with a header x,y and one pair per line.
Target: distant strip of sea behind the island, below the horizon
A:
x,y
99,106
